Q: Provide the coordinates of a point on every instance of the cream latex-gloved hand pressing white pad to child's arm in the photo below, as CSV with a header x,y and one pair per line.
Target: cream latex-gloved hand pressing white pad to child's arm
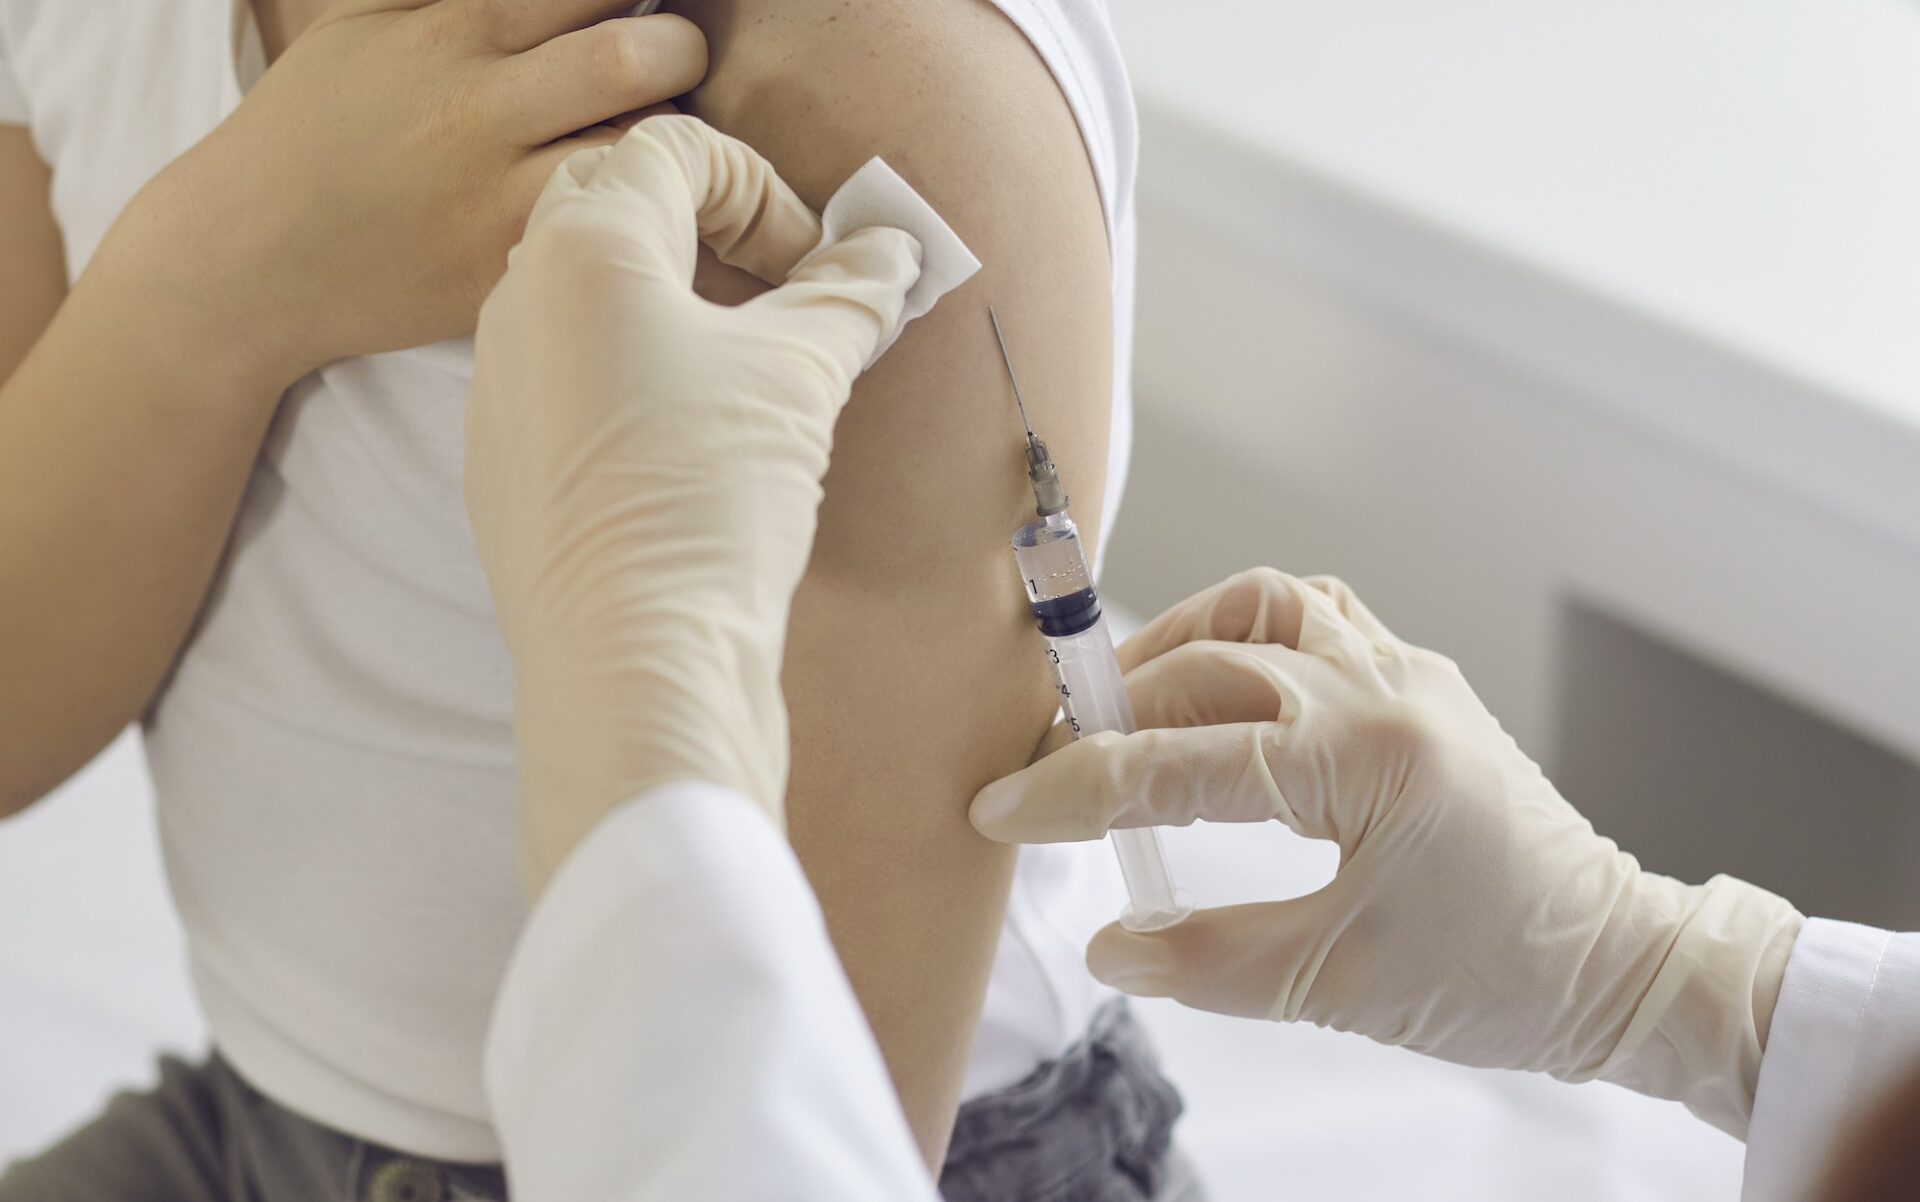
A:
x,y
644,468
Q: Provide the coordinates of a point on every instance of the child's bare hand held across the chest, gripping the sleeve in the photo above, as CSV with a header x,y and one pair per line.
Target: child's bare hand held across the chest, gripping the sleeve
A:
x,y
366,193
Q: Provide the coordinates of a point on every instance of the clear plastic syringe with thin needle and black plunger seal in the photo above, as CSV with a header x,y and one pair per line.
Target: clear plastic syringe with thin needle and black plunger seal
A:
x,y
1093,696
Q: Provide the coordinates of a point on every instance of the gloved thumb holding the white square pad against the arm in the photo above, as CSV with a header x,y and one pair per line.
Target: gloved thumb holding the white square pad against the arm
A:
x,y
846,300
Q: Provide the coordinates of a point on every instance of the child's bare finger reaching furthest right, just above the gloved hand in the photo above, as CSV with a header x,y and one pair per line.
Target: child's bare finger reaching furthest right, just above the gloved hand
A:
x,y
598,74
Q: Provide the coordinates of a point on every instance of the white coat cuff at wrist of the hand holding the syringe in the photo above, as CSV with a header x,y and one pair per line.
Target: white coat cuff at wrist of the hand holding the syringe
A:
x,y
1846,1030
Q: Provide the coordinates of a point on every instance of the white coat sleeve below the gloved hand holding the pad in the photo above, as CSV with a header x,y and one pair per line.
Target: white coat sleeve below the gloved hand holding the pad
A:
x,y
675,1024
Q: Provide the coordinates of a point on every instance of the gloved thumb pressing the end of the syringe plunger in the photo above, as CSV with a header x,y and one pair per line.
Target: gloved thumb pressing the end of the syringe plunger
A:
x,y
1255,961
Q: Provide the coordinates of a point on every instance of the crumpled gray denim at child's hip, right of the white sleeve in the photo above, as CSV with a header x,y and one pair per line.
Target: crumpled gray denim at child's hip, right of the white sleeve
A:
x,y
1093,1126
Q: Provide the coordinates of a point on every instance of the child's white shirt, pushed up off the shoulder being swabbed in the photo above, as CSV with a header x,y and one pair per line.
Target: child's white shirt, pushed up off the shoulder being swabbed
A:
x,y
333,759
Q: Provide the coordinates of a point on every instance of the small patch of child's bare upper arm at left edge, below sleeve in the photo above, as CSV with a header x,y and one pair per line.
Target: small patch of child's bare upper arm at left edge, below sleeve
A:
x,y
32,256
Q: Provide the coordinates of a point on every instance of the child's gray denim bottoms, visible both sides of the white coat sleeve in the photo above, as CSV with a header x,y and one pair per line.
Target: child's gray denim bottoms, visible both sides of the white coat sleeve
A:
x,y
1093,1126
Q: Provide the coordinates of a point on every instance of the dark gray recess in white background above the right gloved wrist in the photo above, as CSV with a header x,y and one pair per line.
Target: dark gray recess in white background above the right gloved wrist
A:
x,y
1698,771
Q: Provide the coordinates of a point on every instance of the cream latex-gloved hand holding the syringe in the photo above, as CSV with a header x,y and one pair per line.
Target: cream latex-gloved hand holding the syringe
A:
x,y
1476,915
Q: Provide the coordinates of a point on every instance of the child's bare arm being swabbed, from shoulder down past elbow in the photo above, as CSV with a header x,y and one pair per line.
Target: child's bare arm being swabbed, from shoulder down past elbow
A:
x,y
913,673
